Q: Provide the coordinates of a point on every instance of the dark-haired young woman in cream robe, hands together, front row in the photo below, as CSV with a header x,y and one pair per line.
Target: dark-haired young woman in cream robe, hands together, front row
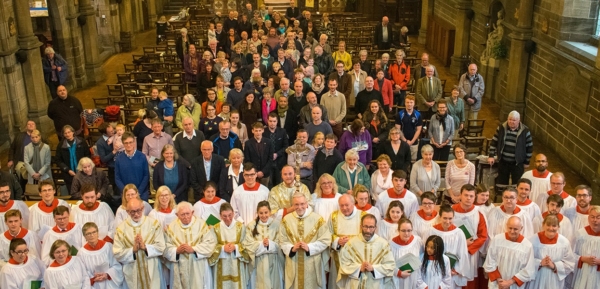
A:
x,y
264,251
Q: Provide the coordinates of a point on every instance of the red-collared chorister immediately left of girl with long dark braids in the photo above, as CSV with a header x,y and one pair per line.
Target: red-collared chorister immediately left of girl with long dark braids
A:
x,y
401,245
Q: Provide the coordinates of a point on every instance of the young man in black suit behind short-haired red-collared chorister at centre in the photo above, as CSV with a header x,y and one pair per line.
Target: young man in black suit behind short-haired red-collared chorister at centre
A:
x,y
259,151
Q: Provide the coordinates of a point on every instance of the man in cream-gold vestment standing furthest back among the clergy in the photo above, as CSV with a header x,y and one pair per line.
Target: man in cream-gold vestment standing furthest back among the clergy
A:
x,y
280,196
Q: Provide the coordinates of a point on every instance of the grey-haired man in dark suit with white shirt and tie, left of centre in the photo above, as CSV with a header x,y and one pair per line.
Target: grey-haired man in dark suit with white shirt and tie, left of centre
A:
x,y
207,162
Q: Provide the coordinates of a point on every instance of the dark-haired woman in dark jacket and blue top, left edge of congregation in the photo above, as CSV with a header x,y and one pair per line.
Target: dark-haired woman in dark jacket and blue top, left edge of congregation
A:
x,y
68,153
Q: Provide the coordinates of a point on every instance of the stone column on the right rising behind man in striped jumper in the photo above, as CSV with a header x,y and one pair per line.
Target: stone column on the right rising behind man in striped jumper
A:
x,y
514,98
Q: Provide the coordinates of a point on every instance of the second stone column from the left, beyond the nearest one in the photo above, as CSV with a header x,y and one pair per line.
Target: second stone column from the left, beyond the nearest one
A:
x,y
91,45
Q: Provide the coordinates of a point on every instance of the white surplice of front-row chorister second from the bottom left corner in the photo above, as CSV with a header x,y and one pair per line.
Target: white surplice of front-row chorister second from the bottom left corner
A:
x,y
72,274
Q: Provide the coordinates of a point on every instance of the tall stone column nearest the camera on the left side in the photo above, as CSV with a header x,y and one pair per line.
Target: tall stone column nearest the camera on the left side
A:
x,y
33,74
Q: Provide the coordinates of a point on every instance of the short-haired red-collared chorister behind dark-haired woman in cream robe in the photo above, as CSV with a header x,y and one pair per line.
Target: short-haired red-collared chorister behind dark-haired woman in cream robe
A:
x,y
247,196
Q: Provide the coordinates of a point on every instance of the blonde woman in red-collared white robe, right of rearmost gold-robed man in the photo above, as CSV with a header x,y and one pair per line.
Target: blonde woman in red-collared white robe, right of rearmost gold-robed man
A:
x,y
326,196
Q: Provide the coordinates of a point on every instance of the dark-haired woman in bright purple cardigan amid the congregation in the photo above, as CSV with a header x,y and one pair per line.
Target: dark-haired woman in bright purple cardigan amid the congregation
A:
x,y
357,138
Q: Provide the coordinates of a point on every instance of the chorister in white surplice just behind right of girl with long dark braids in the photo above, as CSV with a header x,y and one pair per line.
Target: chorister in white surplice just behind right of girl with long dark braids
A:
x,y
455,243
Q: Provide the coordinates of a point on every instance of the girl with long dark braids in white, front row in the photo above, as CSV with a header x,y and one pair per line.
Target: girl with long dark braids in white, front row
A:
x,y
435,268
